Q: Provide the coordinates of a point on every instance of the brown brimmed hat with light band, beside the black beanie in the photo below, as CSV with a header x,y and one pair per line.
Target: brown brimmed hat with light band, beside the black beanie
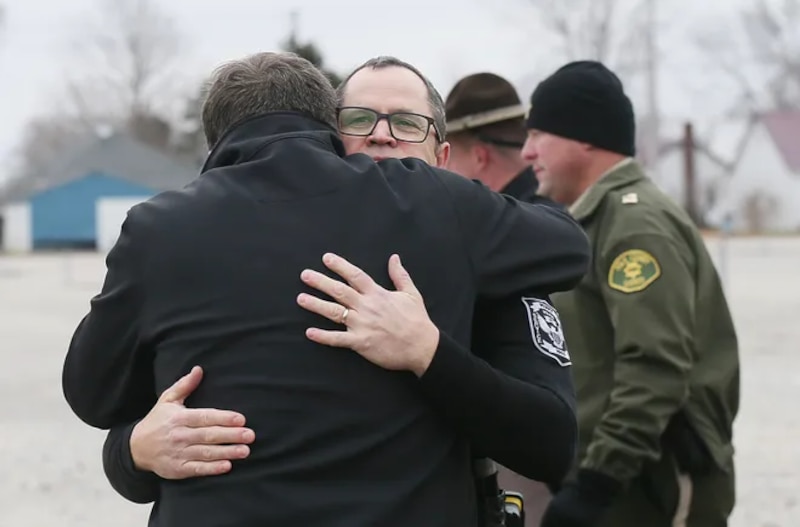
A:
x,y
483,99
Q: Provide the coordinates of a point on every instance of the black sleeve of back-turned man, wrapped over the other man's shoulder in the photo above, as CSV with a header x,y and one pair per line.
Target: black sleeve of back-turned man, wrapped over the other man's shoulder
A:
x,y
516,246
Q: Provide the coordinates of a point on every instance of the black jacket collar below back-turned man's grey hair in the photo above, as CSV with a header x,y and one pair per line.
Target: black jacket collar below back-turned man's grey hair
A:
x,y
246,140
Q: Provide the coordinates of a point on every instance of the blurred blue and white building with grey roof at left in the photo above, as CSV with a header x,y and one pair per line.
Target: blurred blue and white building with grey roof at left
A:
x,y
83,200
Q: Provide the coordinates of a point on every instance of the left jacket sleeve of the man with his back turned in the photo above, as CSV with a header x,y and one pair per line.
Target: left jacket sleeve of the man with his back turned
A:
x,y
108,373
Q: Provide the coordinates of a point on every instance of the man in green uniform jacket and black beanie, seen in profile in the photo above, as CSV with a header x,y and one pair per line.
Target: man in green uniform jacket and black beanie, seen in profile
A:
x,y
655,356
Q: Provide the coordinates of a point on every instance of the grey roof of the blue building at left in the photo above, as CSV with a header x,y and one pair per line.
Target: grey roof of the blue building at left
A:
x,y
118,155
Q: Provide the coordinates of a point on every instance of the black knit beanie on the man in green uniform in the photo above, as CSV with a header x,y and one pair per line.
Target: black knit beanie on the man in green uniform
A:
x,y
585,101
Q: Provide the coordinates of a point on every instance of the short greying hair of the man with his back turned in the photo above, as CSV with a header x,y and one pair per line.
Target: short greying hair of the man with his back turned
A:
x,y
261,83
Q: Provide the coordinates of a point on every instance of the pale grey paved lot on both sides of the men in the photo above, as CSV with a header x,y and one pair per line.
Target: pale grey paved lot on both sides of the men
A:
x,y
51,469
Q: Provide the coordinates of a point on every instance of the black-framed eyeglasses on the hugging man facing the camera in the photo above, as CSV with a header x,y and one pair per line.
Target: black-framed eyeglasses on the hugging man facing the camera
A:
x,y
404,126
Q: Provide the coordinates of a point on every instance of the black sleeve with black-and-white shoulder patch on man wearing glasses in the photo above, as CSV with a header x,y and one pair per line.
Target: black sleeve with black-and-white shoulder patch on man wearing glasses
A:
x,y
513,398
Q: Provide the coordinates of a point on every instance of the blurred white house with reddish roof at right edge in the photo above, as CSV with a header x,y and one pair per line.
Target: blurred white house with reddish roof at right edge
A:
x,y
763,192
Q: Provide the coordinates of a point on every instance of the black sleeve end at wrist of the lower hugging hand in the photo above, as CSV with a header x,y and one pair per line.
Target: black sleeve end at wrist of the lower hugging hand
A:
x,y
132,484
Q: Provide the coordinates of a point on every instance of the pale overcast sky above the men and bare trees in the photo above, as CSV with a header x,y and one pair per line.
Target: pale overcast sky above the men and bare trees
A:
x,y
446,39
